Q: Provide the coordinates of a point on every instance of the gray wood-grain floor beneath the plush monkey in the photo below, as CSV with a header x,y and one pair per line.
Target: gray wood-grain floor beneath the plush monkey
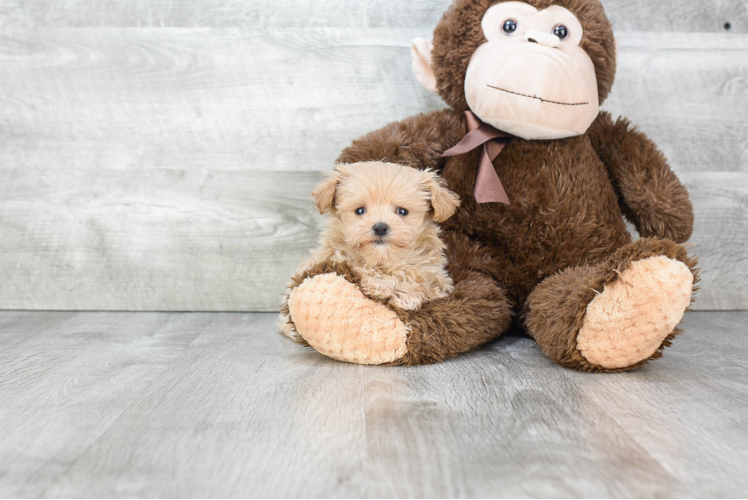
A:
x,y
195,405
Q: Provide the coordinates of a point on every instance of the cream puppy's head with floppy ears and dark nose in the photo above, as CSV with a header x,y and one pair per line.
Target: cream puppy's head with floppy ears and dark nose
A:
x,y
384,208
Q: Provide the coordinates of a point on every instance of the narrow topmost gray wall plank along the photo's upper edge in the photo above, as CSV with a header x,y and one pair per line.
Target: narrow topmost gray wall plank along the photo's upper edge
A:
x,y
626,15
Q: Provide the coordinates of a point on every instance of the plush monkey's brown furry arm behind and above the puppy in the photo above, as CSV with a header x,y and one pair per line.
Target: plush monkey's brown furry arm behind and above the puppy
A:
x,y
418,141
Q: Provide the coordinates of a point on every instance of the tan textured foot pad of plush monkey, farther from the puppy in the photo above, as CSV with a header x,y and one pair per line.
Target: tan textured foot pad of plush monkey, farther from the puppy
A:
x,y
629,320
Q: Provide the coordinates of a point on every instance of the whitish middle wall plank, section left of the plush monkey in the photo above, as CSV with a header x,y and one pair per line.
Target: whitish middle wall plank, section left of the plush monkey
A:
x,y
188,99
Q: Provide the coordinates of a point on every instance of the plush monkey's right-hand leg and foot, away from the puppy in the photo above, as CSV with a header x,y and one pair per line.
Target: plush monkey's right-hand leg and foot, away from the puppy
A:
x,y
617,315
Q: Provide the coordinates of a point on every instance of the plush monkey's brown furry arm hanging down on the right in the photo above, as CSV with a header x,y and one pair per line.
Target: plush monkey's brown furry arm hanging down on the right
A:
x,y
649,193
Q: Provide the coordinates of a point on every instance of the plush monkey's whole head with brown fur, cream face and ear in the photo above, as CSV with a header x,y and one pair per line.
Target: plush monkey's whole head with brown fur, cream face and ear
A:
x,y
523,67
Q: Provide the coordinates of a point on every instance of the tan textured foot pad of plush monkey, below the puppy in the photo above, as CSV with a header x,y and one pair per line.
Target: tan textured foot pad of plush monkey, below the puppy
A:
x,y
335,318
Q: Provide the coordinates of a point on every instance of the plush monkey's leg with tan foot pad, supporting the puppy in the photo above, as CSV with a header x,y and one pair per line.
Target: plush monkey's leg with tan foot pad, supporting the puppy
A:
x,y
332,315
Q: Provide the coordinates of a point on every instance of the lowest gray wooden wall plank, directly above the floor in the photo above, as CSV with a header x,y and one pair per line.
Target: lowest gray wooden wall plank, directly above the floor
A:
x,y
170,240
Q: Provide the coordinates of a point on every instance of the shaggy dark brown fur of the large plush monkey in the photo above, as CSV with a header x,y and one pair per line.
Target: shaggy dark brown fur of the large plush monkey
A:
x,y
541,260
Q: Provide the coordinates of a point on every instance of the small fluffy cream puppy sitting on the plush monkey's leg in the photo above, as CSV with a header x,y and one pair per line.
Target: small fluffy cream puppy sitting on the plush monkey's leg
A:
x,y
405,266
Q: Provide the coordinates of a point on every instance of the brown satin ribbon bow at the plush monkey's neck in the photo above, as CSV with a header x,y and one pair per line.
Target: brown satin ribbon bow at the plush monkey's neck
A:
x,y
488,188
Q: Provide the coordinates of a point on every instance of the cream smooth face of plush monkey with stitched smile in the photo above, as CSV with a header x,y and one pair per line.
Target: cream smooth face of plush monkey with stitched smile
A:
x,y
531,78
